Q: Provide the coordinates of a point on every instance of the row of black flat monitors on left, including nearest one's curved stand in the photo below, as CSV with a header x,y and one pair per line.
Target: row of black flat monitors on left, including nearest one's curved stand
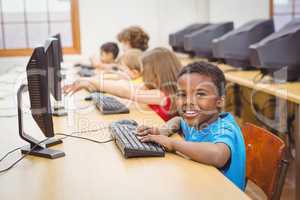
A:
x,y
43,81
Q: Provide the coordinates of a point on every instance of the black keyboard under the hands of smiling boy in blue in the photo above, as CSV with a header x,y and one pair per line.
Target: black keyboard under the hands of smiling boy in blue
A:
x,y
130,145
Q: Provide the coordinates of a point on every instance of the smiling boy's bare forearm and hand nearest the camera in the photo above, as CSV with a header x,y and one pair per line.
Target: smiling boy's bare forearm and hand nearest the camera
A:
x,y
208,153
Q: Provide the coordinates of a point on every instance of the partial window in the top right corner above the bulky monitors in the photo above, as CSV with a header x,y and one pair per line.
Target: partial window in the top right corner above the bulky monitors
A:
x,y
283,11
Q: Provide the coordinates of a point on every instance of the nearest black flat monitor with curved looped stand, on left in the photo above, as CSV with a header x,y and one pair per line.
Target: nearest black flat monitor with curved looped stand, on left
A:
x,y
37,80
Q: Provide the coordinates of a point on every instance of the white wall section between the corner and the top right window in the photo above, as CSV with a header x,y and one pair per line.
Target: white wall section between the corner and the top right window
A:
x,y
239,11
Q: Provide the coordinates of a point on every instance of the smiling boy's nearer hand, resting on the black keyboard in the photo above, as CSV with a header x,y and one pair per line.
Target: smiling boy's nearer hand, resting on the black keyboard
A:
x,y
163,140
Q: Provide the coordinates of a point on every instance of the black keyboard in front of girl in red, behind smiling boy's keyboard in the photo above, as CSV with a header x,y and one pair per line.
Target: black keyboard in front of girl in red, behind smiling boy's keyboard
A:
x,y
108,105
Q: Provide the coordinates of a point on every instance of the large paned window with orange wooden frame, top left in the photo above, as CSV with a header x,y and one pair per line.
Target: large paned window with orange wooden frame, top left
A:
x,y
25,24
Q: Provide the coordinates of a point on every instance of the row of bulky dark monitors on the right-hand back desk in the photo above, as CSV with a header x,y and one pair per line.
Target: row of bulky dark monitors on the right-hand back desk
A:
x,y
253,45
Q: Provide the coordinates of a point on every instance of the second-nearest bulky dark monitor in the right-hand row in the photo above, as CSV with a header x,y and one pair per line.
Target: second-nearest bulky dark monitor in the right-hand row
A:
x,y
234,46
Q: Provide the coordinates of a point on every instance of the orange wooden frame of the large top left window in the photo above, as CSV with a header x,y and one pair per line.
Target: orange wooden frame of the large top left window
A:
x,y
76,49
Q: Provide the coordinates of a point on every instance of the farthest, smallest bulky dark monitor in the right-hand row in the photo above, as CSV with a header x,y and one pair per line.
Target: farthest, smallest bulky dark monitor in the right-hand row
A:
x,y
176,39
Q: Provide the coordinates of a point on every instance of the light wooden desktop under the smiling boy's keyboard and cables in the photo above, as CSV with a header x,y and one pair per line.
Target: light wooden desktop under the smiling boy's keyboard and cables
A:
x,y
99,171
